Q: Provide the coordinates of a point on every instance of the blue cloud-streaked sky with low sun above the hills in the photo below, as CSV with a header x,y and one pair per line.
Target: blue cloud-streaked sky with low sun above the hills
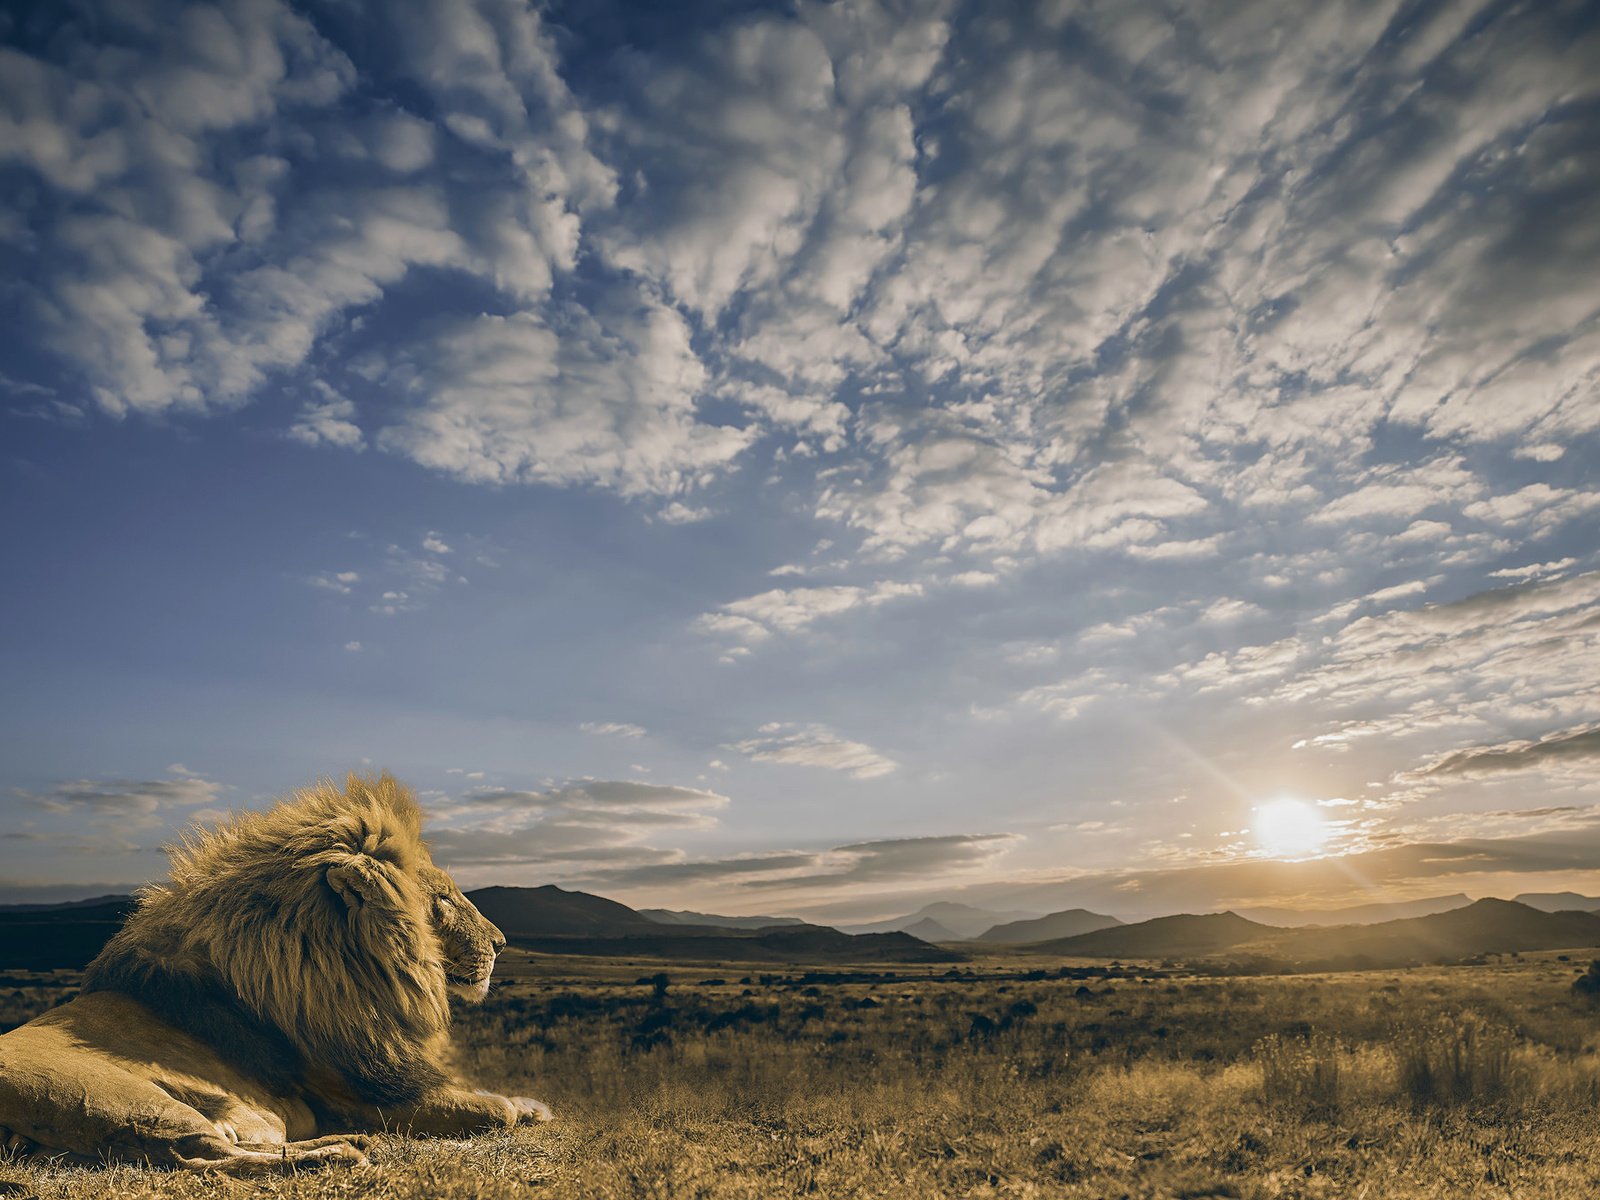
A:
x,y
815,458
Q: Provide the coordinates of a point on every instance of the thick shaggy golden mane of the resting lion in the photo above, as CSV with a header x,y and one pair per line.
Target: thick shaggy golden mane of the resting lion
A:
x,y
300,940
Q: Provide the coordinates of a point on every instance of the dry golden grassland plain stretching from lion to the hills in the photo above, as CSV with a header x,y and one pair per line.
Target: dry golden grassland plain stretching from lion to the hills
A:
x,y
1006,1078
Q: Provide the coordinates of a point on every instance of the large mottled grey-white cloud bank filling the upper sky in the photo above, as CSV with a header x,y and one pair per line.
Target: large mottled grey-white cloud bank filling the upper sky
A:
x,y
1150,268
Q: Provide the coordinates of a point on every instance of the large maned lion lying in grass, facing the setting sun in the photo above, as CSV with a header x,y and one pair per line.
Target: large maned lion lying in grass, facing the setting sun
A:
x,y
282,994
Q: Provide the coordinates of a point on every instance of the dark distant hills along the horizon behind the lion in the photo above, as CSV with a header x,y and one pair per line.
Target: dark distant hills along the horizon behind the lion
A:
x,y
556,921
